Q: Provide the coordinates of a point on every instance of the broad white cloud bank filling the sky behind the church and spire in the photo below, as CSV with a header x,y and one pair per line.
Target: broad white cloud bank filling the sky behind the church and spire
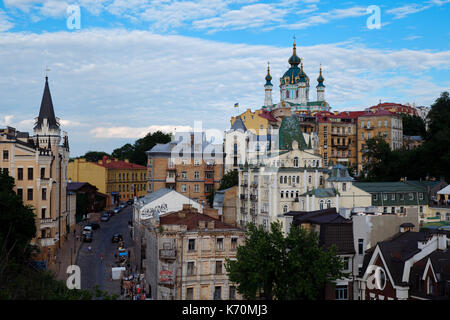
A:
x,y
118,83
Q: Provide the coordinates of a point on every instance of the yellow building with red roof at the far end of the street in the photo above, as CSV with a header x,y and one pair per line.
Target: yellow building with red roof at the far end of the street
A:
x,y
120,180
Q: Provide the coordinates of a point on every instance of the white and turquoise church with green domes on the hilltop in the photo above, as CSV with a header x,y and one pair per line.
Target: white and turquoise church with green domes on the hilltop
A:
x,y
295,88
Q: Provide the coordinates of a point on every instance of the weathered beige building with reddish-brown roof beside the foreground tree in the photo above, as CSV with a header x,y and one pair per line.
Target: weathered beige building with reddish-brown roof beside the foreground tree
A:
x,y
184,256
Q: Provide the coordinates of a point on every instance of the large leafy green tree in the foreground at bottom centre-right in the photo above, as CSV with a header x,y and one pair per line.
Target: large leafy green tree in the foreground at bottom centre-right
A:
x,y
284,268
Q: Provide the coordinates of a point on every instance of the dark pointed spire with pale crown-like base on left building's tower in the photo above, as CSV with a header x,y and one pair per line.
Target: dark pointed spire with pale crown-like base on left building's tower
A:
x,y
47,128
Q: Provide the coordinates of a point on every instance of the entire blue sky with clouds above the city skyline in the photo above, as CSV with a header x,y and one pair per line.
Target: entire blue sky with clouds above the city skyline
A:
x,y
123,68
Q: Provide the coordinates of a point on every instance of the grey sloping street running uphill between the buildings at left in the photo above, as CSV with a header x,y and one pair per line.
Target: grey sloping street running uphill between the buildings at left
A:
x,y
93,270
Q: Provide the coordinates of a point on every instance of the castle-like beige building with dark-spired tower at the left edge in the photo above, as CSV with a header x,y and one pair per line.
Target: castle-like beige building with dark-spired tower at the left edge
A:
x,y
38,165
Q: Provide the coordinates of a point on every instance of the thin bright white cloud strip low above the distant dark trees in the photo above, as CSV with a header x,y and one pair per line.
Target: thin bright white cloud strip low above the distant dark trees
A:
x,y
135,133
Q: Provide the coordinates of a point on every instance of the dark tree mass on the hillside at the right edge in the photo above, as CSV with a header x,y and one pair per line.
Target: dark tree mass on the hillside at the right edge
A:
x,y
431,159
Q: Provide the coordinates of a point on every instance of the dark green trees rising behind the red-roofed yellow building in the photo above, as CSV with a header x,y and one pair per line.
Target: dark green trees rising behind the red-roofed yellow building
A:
x,y
136,153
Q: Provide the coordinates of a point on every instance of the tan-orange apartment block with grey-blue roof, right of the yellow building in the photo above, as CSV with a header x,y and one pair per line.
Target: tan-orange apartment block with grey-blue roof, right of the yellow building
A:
x,y
188,164
